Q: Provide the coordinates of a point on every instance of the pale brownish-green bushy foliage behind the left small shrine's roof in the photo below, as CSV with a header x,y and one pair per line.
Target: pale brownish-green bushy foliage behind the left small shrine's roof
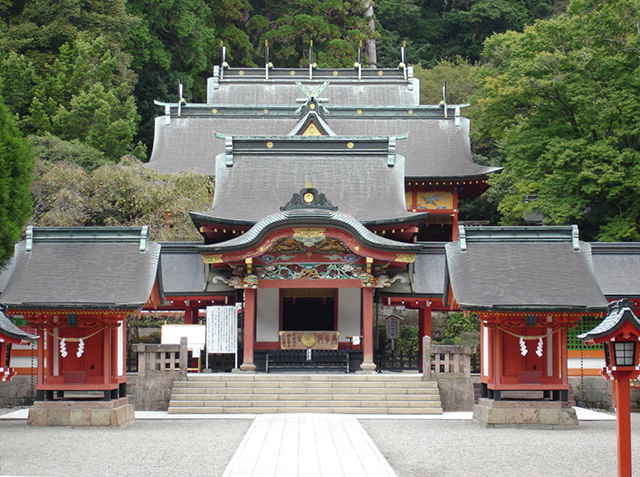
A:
x,y
127,193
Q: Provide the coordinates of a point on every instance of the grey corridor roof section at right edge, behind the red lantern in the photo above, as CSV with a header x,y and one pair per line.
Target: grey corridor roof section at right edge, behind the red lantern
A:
x,y
617,268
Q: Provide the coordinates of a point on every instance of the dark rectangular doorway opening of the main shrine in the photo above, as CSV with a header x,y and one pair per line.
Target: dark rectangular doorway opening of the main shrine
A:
x,y
308,310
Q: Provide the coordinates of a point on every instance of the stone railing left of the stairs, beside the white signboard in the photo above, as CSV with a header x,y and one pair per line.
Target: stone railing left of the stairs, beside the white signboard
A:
x,y
158,367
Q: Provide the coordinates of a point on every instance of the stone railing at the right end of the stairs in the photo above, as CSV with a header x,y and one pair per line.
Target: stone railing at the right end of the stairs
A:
x,y
450,366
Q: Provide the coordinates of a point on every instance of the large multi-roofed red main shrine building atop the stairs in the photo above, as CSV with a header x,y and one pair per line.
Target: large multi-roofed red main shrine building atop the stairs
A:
x,y
327,182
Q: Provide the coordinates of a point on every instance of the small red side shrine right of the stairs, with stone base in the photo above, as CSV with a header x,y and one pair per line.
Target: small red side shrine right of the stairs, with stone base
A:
x,y
528,285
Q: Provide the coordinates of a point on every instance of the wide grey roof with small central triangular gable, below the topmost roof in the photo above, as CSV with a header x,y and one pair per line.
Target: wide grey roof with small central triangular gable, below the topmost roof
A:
x,y
435,148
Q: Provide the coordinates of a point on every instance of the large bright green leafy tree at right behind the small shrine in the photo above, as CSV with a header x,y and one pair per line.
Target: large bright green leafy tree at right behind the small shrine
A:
x,y
561,103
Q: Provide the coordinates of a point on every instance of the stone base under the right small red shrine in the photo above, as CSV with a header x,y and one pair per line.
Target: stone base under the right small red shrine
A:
x,y
525,414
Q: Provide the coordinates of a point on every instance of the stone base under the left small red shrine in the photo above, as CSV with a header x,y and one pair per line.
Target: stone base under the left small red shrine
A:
x,y
117,413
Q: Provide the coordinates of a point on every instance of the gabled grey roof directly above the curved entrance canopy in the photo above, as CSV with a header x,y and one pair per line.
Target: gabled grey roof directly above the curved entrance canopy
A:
x,y
361,176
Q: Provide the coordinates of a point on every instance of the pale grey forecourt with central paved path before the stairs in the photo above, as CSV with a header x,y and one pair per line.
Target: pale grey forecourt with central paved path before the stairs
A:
x,y
331,445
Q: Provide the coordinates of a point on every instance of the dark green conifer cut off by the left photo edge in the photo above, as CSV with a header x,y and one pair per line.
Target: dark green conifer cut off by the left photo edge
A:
x,y
16,164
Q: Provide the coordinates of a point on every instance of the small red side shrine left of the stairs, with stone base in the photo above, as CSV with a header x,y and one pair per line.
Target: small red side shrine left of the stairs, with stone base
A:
x,y
77,286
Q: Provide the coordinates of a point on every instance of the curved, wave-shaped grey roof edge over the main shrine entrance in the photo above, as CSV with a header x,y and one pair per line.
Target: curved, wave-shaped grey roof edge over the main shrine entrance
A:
x,y
303,217
